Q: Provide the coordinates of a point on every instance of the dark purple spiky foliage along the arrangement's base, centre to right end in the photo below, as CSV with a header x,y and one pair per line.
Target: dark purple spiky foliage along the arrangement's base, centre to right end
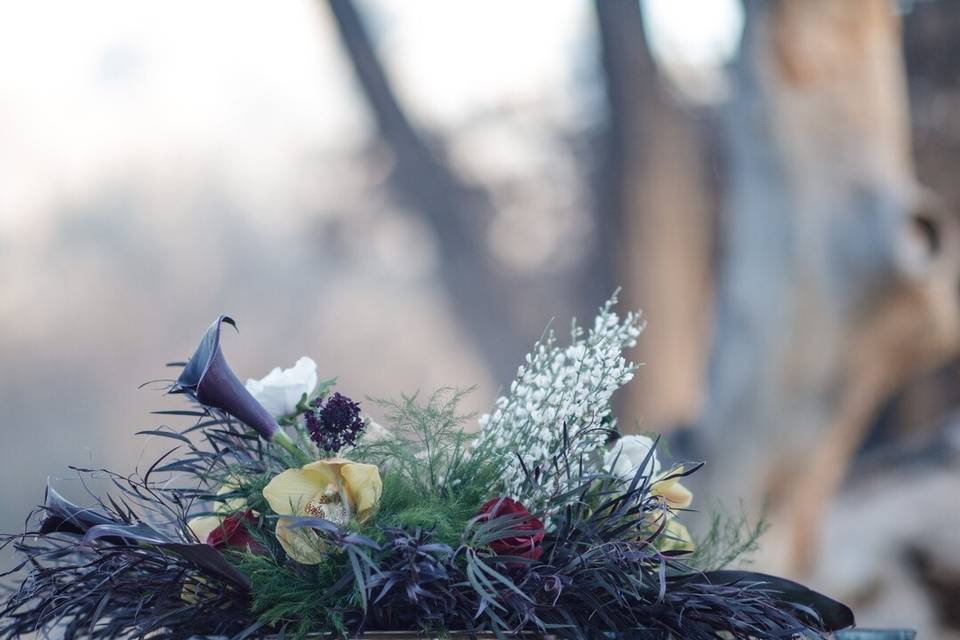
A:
x,y
600,573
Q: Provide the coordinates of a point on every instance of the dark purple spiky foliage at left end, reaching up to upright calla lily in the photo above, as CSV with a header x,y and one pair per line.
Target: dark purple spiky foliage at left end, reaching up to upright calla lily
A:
x,y
129,565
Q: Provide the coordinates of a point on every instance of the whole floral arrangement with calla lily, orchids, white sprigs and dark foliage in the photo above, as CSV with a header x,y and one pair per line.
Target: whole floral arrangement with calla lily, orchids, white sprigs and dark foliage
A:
x,y
283,510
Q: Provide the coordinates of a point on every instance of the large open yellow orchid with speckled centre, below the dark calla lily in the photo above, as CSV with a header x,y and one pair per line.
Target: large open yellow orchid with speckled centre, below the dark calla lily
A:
x,y
335,489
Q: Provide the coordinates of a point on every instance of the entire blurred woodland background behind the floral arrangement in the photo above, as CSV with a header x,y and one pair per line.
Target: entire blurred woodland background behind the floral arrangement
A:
x,y
409,191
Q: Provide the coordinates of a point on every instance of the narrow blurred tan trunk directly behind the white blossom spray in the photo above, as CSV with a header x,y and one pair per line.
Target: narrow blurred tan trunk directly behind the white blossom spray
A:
x,y
656,219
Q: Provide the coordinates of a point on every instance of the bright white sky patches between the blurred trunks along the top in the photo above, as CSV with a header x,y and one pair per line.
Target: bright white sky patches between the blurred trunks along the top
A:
x,y
92,91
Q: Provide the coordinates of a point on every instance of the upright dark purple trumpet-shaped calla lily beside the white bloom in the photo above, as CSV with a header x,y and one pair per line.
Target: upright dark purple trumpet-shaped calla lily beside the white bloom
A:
x,y
209,379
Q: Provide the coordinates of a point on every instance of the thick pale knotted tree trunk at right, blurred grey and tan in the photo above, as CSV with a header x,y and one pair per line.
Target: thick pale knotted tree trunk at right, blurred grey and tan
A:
x,y
839,274
